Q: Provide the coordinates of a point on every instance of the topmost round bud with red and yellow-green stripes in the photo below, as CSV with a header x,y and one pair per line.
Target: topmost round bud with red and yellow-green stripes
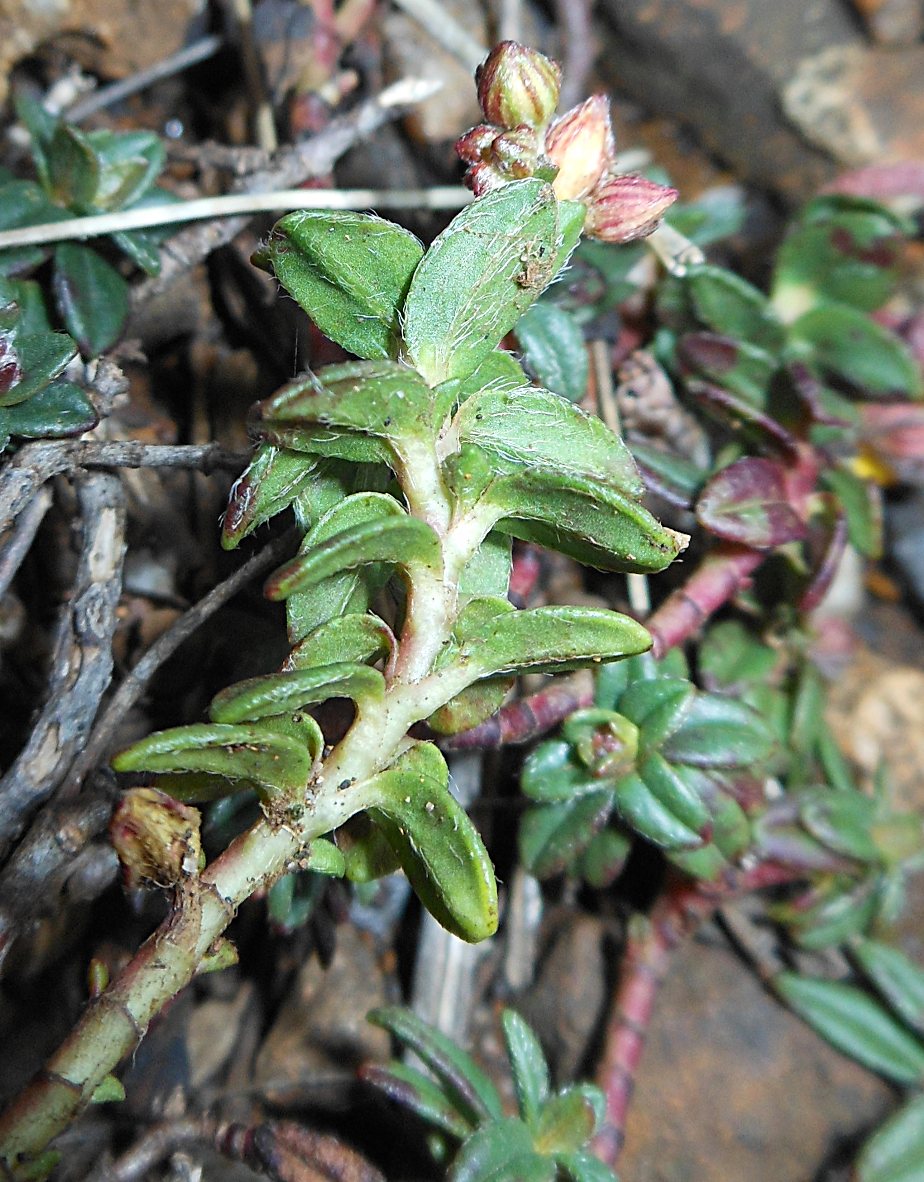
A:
x,y
518,86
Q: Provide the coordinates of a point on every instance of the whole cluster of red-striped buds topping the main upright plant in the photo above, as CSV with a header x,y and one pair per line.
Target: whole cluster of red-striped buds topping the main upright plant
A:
x,y
518,92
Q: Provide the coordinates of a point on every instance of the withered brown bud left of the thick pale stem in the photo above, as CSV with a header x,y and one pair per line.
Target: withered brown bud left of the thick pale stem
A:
x,y
157,839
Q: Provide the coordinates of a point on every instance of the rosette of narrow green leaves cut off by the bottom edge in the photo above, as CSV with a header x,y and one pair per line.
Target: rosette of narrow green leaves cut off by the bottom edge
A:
x,y
546,1140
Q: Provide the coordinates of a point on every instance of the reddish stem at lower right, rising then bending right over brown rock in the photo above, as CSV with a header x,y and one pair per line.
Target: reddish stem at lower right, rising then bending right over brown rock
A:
x,y
650,945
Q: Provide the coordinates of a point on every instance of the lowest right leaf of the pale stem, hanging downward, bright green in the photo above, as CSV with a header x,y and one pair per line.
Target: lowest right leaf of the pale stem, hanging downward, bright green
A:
x,y
438,846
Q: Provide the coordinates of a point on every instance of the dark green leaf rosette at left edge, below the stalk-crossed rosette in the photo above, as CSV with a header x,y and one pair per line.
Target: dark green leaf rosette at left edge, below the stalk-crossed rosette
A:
x,y
36,400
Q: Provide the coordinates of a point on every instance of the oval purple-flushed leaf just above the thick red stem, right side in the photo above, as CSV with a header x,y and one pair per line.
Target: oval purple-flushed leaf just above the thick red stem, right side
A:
x,y
747,503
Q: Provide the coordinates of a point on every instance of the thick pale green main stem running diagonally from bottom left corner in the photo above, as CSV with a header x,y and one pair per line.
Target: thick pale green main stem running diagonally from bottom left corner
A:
x,y
114,1024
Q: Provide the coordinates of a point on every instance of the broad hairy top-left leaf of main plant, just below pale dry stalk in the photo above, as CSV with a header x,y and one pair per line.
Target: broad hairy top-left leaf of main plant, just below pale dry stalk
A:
x,y
349,271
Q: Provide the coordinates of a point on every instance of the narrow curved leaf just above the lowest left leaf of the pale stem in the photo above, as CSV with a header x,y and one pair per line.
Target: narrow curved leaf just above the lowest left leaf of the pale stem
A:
x,y
283,693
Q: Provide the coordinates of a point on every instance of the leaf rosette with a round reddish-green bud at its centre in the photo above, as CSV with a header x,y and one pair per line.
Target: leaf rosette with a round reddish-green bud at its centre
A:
x,y
655,758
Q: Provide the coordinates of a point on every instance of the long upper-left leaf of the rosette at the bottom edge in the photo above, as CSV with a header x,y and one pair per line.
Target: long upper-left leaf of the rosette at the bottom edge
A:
x,y
458,1071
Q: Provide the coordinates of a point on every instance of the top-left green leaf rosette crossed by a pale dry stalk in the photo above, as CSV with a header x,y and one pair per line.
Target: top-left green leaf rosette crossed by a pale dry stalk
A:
x,y
81,174
